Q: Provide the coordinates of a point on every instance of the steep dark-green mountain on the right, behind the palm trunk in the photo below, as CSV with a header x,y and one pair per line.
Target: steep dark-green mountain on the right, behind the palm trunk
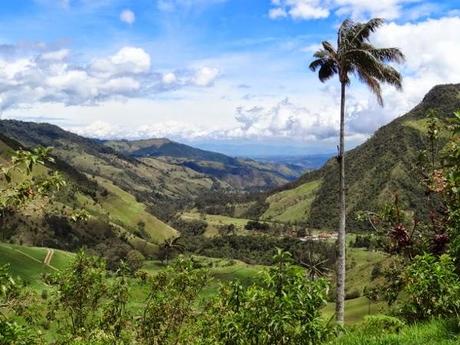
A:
x,y
383,165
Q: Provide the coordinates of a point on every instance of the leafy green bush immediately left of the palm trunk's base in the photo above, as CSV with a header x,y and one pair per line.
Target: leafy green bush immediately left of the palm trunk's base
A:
x,y
284,309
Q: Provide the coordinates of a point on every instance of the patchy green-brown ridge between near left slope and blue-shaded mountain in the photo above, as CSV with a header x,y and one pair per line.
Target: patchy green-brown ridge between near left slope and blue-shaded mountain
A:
x,y
159,184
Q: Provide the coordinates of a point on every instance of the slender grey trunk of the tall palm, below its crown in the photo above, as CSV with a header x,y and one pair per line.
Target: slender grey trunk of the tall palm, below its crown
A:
x,y
340,298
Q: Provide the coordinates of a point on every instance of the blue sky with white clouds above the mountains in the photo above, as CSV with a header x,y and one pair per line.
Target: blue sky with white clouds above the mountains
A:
x,y
228,75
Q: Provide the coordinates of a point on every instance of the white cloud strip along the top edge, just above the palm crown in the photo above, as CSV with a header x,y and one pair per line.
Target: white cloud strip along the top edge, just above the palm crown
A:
x,y
358,9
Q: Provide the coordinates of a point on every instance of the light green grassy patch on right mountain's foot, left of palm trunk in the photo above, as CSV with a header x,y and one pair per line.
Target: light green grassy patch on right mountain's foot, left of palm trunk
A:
x,y
293,204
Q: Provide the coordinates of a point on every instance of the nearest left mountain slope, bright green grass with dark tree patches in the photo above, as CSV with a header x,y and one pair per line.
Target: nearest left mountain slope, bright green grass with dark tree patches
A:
x,y
116,220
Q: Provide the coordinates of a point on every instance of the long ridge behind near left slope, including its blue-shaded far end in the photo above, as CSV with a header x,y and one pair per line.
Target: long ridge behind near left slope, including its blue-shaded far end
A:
x,y
161,174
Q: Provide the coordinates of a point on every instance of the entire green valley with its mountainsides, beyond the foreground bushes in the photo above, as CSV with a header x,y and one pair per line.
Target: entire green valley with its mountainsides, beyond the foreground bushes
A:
x,y
154,204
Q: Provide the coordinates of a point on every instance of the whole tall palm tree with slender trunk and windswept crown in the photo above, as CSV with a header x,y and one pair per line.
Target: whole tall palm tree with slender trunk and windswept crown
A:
x,y
355,55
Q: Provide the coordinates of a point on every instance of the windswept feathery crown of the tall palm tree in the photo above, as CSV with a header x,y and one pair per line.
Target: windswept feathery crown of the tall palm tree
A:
x,y
355,54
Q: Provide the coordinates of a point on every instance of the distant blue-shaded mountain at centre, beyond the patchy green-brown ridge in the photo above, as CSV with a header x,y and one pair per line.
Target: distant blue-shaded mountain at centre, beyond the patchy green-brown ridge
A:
x,y
239,173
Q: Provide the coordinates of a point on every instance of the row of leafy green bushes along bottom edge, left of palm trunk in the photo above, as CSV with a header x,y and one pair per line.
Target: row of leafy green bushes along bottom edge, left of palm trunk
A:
x,y
89,305
